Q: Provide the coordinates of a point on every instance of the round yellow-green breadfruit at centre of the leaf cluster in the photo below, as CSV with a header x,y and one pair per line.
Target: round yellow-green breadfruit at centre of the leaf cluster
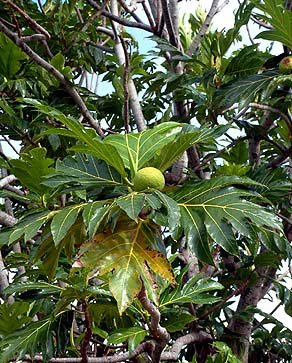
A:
x,y
148,178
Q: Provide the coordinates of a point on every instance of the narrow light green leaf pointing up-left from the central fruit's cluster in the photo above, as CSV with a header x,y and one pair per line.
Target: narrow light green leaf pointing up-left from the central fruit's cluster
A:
x,y
93,144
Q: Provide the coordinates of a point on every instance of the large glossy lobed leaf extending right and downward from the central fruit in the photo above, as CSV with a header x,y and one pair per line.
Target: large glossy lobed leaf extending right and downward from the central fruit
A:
x,y
215,208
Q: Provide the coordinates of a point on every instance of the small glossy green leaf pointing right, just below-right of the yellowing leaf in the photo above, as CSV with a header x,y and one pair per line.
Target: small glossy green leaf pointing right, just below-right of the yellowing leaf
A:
x,y
194,291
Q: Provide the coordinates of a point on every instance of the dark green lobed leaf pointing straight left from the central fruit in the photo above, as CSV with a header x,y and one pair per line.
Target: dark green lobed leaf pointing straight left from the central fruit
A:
x,y
83,170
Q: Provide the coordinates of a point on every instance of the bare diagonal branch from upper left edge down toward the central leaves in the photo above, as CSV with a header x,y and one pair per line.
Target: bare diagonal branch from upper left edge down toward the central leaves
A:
x,y
57,74
